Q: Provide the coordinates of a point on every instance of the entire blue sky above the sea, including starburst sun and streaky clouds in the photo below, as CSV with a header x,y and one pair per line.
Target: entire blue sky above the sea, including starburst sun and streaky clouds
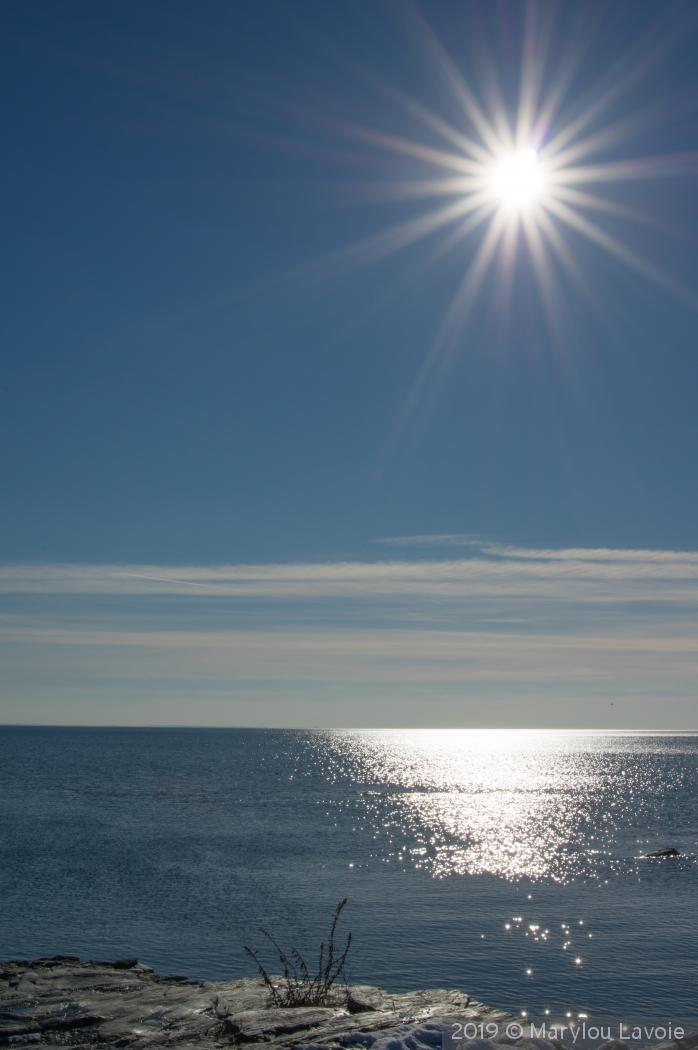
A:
x,y
305,421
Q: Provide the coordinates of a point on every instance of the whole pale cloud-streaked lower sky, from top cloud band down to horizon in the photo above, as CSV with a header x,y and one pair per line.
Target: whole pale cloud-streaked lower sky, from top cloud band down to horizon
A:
x,y
510,636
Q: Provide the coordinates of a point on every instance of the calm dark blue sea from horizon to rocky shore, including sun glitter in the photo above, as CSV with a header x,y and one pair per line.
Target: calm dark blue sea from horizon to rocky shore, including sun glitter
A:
x,y
507,865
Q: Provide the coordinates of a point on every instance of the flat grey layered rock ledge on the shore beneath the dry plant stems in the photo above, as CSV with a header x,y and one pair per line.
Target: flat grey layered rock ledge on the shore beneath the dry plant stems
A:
x,y
64,1002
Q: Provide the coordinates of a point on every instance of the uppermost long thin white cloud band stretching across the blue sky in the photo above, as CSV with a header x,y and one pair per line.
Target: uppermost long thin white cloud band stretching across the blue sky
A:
x,y
493,572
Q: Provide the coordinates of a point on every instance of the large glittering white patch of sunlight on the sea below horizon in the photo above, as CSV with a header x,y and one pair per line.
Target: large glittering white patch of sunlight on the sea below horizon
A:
x,y
544,805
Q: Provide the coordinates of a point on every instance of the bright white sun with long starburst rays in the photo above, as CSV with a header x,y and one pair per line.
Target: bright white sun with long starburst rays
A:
x,y
519,182
